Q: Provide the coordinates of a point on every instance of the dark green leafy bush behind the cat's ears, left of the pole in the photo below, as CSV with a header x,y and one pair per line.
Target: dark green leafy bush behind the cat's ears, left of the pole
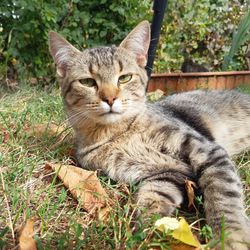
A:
x,y
24,27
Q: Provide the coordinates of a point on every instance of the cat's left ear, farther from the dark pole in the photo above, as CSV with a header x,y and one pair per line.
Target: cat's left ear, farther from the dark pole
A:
x,y
62,52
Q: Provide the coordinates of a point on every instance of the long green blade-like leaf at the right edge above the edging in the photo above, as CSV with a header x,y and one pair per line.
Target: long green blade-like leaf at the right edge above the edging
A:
x,y
241,36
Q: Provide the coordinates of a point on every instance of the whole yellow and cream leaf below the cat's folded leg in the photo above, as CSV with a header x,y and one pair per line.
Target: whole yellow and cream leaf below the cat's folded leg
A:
x,y
180,230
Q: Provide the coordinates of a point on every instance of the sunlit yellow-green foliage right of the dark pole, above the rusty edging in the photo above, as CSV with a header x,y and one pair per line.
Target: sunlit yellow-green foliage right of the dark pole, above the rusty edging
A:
x,y
201,30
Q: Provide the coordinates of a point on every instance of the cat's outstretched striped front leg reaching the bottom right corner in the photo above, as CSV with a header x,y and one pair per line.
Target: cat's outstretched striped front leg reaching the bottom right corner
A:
x,y
222,189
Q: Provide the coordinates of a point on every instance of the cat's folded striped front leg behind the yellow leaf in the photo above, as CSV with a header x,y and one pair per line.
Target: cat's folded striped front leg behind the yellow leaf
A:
x,y
162,190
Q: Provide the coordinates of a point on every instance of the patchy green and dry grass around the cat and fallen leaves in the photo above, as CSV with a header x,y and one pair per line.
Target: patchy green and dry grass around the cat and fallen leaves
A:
x,y
28,190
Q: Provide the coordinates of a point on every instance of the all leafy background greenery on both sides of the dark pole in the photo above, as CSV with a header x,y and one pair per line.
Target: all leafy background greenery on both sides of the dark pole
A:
x,y
201,30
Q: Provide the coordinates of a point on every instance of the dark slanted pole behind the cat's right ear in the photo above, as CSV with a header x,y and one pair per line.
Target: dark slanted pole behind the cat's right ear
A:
x,y
159,9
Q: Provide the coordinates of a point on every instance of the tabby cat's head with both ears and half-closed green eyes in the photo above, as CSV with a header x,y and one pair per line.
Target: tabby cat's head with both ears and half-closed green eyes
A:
x,y
105,84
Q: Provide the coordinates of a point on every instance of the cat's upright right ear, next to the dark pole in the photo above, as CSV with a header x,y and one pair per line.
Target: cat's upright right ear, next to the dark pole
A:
x,y
137,41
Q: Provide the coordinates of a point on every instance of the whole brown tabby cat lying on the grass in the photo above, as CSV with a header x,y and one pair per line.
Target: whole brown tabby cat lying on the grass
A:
x,y
188,136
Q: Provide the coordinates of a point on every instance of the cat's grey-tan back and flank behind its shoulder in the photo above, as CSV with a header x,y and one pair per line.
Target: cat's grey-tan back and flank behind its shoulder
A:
x,y
217,115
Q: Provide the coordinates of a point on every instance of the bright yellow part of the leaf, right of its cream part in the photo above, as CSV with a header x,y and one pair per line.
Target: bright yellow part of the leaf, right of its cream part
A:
x,y
184,234
